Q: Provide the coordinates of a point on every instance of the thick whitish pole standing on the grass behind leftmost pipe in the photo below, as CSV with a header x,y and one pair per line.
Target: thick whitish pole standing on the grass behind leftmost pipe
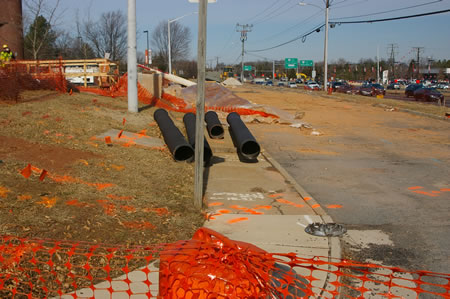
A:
x,y
131,59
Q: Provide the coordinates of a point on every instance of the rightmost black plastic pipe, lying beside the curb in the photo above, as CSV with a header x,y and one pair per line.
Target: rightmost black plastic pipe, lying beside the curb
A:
x,y
246,144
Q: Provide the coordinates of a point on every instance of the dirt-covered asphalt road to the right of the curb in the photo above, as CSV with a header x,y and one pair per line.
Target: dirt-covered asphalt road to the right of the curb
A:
x,y
388,172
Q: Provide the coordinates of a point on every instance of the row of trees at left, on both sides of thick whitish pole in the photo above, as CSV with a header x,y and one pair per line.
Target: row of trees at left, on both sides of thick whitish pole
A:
x,y
46,38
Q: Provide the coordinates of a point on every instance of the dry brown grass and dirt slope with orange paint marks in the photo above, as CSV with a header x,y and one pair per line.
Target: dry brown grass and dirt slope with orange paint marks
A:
x,y
91,191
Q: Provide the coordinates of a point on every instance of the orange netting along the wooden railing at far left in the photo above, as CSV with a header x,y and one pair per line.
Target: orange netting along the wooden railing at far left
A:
x,y
17,76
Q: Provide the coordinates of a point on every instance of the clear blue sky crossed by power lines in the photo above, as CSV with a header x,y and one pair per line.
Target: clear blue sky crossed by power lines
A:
x,y
277,21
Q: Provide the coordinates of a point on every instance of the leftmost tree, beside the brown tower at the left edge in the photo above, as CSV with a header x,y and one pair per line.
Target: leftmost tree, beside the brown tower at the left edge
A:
x,y
39,24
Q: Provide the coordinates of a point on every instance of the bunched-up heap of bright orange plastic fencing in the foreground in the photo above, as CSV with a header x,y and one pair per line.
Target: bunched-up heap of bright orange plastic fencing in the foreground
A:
x,y
213,265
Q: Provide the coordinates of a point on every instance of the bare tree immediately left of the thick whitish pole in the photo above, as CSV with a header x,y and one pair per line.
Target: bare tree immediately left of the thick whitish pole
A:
x,y
107,35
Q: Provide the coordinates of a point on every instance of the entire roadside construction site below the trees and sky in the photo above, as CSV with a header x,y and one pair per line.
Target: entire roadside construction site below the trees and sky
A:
x,y
305,192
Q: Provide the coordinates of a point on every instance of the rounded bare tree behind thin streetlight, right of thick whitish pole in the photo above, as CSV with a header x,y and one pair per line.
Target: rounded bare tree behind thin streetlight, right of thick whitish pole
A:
x,y
180,38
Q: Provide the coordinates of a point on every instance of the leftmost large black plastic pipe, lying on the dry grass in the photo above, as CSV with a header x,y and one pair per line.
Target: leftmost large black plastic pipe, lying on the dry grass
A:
x,y
181,150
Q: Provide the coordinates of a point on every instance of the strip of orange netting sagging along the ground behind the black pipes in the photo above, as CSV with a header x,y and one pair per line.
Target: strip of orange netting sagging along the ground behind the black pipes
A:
x,y
167,101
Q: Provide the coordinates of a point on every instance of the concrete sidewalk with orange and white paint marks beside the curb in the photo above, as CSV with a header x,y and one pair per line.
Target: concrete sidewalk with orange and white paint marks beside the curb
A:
x,y
260,203
